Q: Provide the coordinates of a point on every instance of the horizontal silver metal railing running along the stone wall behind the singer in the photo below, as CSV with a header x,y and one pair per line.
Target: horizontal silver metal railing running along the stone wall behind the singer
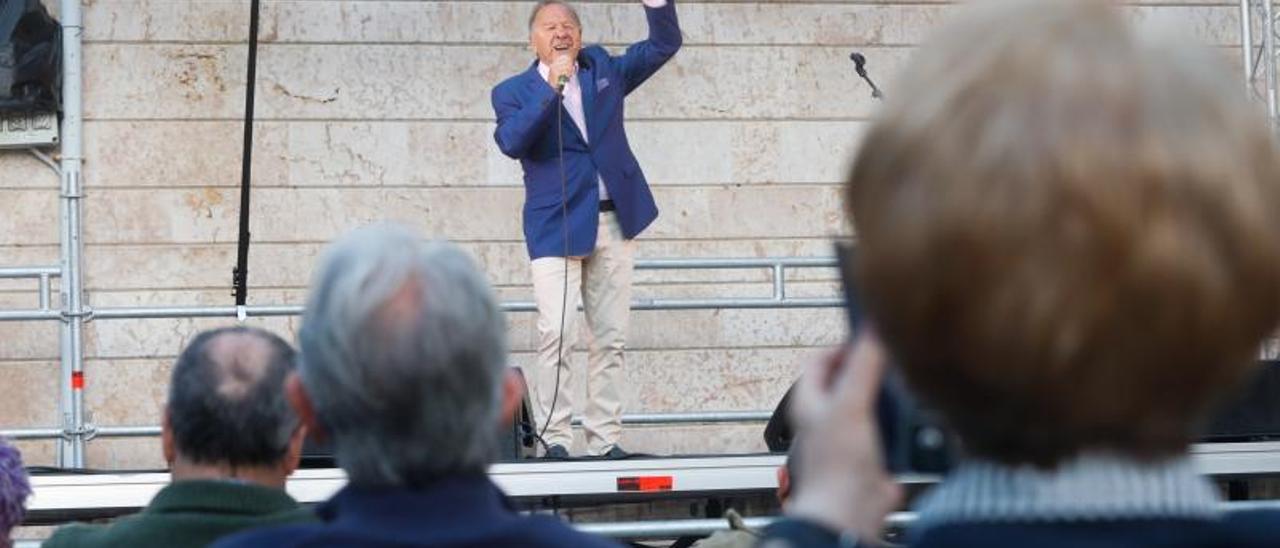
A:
x,y
83,431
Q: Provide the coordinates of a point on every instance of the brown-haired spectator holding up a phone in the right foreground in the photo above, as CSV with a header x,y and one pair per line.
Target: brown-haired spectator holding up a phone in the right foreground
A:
x,y
1069,241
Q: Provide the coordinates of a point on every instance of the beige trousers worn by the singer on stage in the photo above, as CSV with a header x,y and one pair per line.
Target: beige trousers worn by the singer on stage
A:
x,y
602,284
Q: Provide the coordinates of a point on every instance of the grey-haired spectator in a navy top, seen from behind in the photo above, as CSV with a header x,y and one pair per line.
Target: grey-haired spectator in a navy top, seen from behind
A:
x,y
405,369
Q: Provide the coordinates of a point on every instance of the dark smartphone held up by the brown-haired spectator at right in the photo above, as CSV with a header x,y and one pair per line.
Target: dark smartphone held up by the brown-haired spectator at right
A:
x,y
912,440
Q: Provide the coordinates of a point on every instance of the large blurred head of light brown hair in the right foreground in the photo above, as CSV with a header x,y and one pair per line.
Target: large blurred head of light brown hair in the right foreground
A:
x,y
1068,232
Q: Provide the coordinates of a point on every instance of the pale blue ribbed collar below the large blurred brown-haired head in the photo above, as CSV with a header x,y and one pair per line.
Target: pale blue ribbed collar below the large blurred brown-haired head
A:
x,y
1095,487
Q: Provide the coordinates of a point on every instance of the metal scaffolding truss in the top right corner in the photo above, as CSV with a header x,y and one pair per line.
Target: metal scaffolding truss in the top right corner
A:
x,y
1259,33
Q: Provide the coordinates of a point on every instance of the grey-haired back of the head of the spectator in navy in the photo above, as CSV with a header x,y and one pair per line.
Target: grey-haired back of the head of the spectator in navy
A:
x,y
404,350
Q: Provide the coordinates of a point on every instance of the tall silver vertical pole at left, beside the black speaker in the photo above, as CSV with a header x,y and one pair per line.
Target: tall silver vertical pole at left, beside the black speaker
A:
x,y
72,404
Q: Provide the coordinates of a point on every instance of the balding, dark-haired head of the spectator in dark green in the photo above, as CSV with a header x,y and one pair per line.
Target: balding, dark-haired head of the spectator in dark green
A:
x,y
227,401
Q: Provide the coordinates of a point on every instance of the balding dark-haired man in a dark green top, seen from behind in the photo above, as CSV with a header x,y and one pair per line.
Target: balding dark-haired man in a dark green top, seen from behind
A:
x,y
231,441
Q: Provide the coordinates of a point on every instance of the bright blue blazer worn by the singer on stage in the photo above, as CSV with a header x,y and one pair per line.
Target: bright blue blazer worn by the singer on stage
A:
x,y
527,106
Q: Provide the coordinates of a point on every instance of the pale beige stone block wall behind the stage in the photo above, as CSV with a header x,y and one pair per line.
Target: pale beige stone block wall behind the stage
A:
x,y
380,111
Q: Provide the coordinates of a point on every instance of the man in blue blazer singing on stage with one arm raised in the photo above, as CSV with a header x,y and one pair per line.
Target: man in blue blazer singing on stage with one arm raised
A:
x,y
586,200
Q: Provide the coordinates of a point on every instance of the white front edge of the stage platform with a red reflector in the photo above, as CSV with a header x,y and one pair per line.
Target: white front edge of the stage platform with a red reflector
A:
x,y
534,485
